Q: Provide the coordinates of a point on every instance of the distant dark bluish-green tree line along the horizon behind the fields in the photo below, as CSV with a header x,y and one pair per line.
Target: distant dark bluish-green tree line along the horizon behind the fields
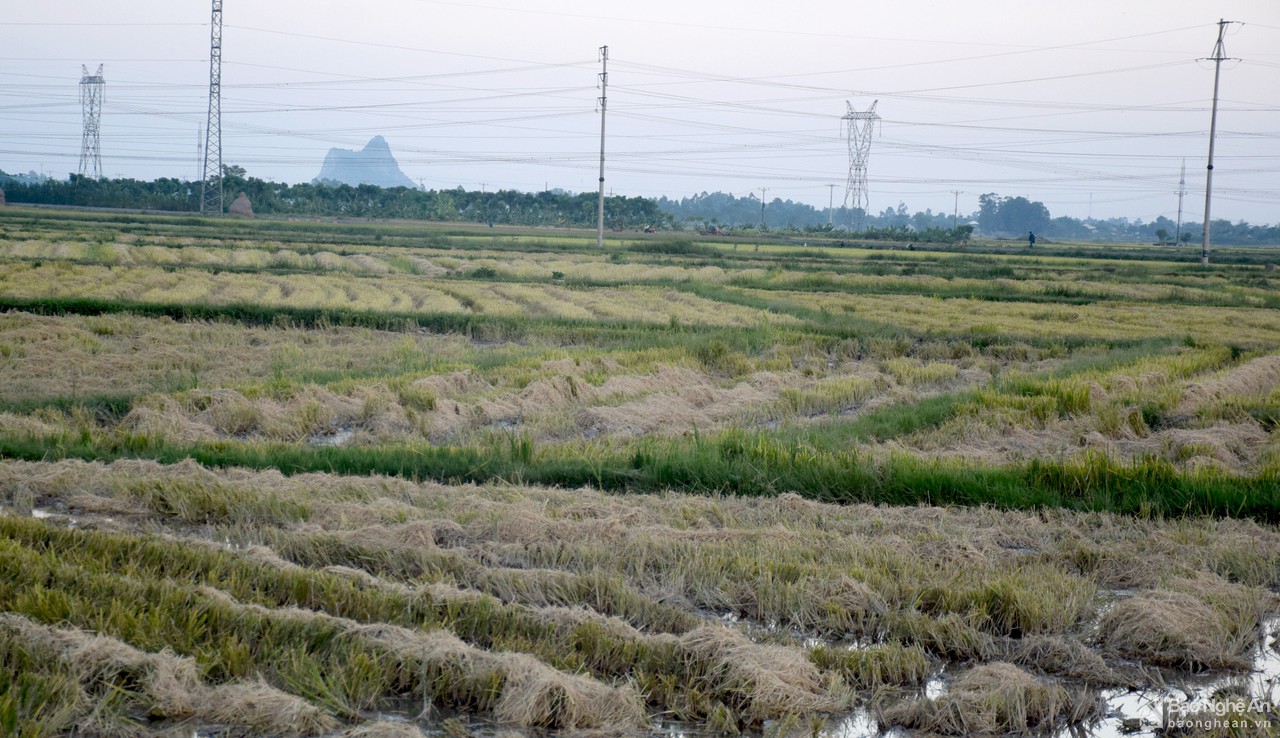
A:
x,y
998,217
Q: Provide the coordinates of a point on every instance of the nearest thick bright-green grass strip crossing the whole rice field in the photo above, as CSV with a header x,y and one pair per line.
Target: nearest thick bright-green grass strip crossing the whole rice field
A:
x,y
735,462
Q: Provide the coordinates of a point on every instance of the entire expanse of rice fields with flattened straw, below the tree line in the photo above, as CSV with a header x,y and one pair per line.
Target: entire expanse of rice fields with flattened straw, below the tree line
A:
x,y
396,480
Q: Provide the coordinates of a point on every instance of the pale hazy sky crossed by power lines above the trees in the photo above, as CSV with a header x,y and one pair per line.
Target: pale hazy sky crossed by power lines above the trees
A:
x,y
1091,107
